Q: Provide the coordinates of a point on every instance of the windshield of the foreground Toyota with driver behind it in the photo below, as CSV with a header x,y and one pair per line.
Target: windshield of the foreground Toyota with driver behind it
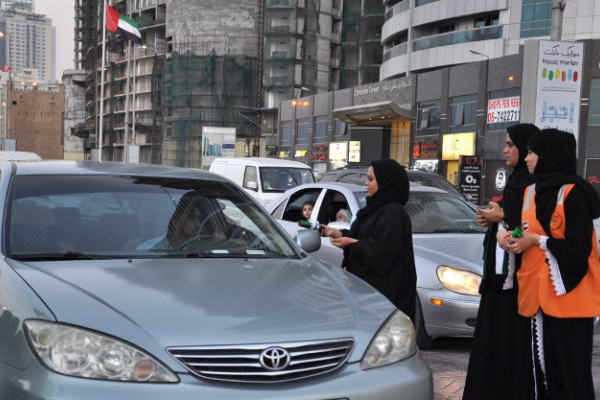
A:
x,y
97,216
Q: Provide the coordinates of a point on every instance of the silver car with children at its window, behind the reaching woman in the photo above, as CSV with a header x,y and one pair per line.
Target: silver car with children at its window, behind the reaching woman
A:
x,y
447,242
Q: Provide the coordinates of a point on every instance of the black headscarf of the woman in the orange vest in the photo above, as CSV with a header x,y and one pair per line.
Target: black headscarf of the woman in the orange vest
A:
x,y
556,166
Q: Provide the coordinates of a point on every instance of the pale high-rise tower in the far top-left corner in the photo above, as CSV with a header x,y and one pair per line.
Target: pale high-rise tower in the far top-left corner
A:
x,y
29,41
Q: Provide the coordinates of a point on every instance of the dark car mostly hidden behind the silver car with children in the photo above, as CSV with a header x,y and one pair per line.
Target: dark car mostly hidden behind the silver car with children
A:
x,y
359,176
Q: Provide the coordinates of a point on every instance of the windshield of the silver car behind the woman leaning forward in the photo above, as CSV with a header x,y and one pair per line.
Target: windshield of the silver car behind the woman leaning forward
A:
x,y
438,212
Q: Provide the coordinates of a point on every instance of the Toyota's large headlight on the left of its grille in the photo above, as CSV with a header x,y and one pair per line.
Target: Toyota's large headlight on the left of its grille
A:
x,y
81,353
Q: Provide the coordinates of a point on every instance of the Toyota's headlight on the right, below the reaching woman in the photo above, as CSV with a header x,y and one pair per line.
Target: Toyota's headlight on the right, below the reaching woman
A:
x,y
394,341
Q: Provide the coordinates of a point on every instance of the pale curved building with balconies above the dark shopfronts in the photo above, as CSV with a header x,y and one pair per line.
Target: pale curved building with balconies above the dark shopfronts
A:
x,y
422,35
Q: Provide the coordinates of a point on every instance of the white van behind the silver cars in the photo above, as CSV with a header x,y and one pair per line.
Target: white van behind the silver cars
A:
x,y
263,178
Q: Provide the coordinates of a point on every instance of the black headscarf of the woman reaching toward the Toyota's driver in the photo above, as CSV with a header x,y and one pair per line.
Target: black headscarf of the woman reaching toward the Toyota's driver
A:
x,y
393,186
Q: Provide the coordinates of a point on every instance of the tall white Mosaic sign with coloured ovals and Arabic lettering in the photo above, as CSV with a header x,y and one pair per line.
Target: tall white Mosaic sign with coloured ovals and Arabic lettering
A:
x,y
559,85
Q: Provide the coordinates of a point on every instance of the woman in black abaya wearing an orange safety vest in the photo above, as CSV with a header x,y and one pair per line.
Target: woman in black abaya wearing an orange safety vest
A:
x,y
559,278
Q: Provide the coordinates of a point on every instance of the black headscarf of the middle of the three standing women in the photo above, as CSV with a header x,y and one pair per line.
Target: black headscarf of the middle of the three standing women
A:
x,y
520,178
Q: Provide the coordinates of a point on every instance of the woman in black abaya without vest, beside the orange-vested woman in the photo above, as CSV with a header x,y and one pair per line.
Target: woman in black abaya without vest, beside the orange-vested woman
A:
x,y
500,333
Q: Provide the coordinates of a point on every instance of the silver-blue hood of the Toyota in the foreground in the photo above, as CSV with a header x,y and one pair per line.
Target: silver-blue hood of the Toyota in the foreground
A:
x,y
170,302
